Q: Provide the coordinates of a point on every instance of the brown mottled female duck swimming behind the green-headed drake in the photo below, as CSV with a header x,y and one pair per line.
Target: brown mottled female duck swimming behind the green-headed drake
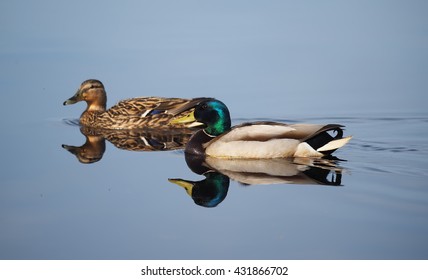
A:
x,y
152,112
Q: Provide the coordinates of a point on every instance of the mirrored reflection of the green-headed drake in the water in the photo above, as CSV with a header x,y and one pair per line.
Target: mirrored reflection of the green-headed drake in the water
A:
x,y
212,190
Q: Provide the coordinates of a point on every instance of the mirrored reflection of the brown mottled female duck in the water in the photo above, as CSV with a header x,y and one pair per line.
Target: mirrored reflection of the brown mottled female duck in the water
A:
x,y
132,140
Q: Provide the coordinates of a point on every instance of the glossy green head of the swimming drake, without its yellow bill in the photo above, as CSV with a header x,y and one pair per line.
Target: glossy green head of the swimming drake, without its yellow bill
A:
x,y
215,115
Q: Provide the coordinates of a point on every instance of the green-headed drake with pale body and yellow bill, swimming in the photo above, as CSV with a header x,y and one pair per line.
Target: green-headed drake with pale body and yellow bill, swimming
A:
x,y
258,139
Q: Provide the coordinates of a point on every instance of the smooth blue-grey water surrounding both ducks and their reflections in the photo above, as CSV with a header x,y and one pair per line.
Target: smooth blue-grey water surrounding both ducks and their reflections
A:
x,y
363,64
